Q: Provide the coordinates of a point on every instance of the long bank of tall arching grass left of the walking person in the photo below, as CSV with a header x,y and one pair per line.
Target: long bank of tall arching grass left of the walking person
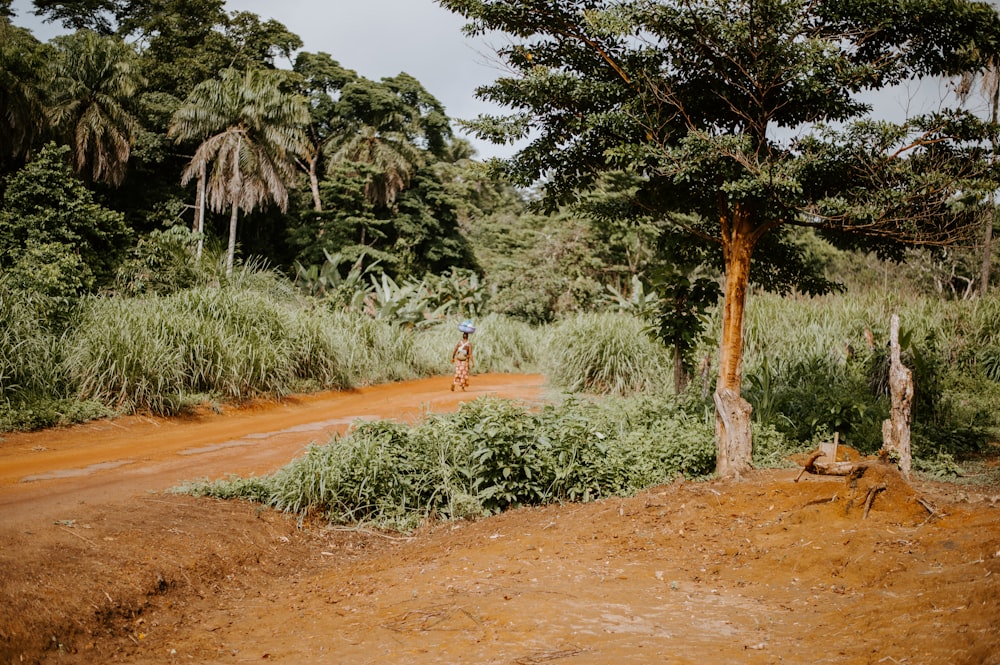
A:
x,y
233,342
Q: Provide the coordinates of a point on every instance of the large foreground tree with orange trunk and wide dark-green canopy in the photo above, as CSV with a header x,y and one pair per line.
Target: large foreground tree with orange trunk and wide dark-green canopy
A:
x,y
745,115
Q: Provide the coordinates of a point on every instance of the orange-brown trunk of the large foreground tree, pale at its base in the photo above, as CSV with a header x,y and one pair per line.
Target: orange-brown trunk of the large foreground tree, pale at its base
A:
x,y
732,416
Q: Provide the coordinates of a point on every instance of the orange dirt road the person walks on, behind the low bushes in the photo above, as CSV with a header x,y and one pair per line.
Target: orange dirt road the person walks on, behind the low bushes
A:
x,y
44,474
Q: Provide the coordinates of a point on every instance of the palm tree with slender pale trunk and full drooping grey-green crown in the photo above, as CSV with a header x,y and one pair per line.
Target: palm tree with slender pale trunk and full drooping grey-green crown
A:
x,y
250,132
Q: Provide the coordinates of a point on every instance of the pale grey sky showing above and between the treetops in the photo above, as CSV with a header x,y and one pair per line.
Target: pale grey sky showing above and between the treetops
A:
x,y
380,38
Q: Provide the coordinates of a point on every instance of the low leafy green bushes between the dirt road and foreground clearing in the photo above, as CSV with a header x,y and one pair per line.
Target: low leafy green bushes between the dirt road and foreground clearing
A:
x,y
491,455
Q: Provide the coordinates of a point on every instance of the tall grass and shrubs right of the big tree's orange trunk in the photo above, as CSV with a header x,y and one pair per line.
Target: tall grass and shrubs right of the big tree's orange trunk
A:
x,y
819,364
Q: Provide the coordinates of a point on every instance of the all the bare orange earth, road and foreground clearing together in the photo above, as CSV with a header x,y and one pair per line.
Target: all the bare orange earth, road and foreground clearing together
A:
x,y
99,563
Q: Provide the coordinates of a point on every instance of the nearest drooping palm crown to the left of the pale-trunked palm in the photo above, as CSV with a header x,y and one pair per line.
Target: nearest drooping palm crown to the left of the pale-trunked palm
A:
x,y
95,80
